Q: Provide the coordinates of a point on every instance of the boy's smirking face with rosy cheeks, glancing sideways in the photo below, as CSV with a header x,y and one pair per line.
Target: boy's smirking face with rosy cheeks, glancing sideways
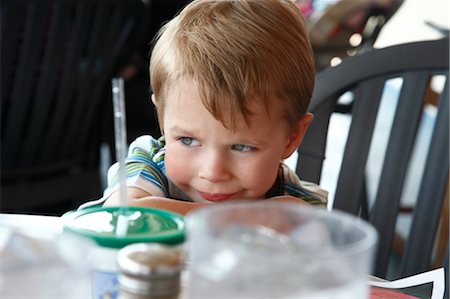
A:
x,y
211,163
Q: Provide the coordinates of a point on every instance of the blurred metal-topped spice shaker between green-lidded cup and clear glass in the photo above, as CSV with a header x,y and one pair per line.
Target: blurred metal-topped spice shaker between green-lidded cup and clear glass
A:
x,y
150,271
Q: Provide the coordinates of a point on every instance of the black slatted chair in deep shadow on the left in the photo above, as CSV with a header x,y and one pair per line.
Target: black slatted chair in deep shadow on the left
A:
x,y
58,58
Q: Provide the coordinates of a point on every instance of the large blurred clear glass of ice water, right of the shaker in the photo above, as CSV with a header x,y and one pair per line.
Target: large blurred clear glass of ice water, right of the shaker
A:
x,y
277,250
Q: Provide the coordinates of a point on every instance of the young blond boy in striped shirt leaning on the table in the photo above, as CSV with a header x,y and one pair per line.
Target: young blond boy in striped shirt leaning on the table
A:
x,y
231,82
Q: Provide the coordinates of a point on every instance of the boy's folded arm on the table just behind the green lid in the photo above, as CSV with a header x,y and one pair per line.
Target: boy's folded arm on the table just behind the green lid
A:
x,y
138,197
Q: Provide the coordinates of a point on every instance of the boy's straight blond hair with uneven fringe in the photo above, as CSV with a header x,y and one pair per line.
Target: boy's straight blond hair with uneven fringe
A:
x,y
237,51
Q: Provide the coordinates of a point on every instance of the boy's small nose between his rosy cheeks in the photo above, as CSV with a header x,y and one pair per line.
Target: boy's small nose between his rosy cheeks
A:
x,y
215,168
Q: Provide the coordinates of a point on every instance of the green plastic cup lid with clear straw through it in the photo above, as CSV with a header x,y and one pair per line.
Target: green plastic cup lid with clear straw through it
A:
x,y
141,225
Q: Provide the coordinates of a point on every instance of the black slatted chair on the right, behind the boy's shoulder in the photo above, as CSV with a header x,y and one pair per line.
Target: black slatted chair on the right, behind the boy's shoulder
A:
x,y
365,77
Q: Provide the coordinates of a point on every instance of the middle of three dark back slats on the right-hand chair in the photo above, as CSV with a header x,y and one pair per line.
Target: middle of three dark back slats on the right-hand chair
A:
x,y
383,214
